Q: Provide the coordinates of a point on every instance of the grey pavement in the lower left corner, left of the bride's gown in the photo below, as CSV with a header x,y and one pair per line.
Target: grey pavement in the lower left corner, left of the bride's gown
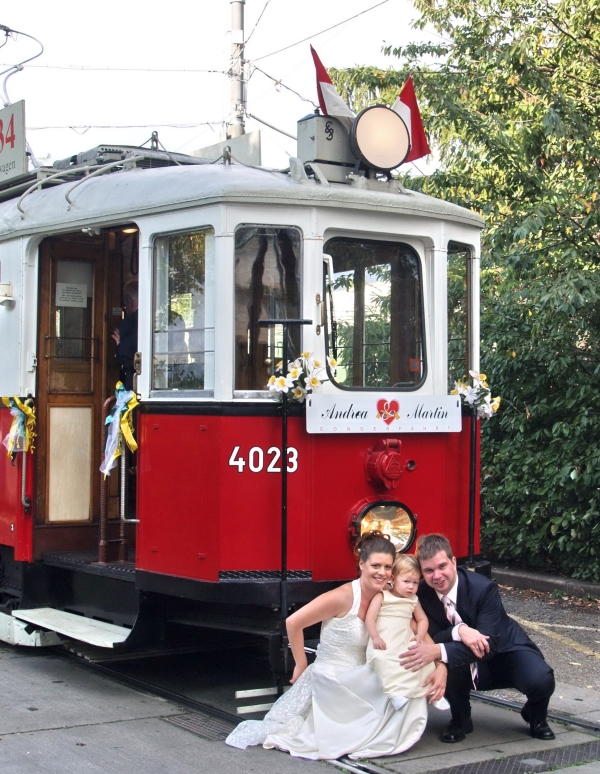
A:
x,y
57,718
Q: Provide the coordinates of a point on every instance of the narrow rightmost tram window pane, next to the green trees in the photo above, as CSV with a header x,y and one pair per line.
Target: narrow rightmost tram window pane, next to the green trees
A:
x,y
458,312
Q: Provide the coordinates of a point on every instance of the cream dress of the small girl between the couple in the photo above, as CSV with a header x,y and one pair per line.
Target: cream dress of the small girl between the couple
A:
x,y
393,626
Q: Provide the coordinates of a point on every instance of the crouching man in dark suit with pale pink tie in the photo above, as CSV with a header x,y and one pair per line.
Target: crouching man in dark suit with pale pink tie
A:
x,y
481,646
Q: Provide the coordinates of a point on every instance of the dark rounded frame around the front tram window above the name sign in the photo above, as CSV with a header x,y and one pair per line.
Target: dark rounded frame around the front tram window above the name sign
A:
x,y
397,387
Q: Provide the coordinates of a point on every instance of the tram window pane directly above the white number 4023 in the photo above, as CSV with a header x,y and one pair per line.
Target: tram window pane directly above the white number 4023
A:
x,y
267,286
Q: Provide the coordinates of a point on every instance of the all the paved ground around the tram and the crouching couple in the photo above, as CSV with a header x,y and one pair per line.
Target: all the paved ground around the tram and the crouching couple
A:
x,y
57,718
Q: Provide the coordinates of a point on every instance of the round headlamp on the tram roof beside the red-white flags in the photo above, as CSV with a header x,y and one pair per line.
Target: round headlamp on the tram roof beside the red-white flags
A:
x,y
380,138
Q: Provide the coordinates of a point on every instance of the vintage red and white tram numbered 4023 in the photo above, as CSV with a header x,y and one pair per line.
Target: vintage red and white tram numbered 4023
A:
x,y
216,249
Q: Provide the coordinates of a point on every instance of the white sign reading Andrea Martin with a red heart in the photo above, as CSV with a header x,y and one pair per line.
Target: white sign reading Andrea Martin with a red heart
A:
x,y
381,413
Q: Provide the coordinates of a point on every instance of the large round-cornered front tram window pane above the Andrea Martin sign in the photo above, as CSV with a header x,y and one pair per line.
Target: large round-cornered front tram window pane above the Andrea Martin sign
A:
x,y
375,315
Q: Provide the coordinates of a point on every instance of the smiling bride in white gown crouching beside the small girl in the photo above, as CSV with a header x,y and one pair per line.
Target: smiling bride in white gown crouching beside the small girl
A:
x,y
337,706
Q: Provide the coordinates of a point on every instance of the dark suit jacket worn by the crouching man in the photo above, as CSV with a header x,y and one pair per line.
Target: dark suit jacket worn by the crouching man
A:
x,y
480,607
